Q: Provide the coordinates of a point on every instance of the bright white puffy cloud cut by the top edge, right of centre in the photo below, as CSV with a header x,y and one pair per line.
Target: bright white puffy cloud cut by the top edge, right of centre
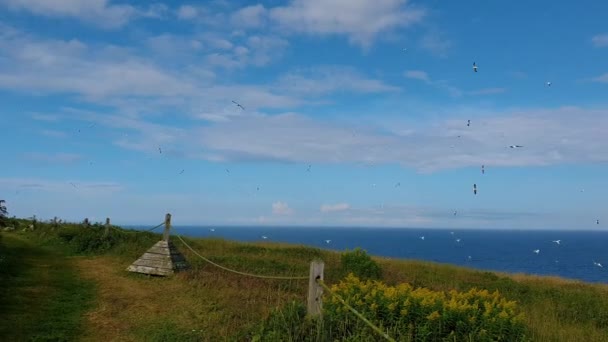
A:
x,y
361,20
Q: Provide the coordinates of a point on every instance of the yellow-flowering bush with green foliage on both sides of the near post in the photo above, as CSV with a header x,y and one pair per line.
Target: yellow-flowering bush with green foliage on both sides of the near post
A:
x,y
405,313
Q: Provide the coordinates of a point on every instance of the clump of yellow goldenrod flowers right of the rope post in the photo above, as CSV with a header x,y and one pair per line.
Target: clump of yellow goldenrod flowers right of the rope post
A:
x,y
420,314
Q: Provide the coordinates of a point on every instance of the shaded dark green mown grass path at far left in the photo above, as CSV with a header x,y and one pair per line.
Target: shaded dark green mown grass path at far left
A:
x,y
42,297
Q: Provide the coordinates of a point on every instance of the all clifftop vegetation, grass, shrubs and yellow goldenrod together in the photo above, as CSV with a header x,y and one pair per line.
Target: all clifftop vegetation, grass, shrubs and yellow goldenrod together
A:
x,y
68,281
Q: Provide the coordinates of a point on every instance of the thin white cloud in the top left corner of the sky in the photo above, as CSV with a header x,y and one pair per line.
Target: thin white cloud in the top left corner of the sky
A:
x,y
96,12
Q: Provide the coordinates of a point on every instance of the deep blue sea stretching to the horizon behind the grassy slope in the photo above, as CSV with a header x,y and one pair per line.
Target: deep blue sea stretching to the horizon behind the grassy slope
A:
x,y
499,250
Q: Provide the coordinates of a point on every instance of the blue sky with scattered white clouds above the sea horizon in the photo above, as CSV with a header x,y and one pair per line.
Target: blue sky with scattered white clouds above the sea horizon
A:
x,y
90,89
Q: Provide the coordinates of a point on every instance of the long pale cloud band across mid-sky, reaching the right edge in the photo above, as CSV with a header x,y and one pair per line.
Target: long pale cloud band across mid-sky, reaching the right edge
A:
x,y
549,136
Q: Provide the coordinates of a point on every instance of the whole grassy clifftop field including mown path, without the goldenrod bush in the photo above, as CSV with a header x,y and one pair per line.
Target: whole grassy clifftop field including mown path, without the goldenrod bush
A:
x,y
63,284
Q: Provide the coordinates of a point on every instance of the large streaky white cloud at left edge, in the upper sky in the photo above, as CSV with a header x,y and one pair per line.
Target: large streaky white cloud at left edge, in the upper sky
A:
x,y
130,79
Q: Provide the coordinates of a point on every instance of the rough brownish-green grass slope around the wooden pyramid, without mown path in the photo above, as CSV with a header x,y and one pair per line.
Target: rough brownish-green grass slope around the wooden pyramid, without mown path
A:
x,y
208,303
